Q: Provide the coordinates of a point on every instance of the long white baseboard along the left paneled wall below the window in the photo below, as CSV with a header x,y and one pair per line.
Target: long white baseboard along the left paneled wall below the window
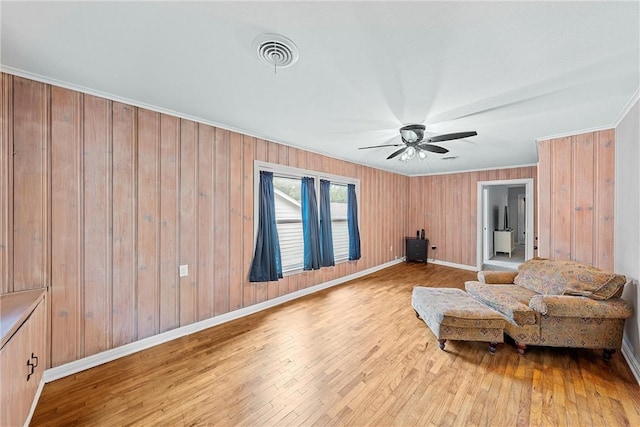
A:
x,y
134,347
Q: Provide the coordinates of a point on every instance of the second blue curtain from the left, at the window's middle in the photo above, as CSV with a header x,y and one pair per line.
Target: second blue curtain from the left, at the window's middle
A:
x,y
310,226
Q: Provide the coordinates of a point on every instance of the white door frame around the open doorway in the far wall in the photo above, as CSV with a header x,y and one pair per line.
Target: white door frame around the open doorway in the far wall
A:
x,y
482,234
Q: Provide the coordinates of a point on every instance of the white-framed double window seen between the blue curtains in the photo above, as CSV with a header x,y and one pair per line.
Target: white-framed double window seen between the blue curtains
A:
x,y
288,207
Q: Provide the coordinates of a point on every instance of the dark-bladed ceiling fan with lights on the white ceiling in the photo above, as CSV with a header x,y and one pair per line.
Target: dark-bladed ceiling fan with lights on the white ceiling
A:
x,y
416,144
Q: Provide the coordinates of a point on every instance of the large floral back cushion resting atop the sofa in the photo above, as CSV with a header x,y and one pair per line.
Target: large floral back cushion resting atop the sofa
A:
x,y
566,277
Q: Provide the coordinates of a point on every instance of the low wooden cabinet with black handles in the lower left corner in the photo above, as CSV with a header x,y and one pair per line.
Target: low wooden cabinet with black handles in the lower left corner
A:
x,y
23,350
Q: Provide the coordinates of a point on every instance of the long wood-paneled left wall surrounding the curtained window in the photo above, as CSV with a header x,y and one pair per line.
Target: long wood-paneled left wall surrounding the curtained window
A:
x,y
102,201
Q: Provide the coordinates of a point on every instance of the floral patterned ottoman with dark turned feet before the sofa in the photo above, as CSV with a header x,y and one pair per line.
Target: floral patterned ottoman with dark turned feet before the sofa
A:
x,y
453,314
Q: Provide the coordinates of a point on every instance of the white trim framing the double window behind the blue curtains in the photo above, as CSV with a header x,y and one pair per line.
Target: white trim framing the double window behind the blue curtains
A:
x,y
291,172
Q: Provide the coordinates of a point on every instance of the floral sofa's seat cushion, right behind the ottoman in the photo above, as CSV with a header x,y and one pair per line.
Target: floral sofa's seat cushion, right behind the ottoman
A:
x,y
510,300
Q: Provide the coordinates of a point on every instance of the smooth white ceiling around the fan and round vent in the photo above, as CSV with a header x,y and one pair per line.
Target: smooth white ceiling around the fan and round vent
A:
x,y
512,71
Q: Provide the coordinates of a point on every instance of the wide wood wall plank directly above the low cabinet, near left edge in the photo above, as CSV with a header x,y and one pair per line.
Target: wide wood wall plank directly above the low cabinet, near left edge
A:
x,y
30,182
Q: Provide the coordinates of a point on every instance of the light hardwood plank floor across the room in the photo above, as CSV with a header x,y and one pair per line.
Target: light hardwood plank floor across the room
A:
x,y
354,354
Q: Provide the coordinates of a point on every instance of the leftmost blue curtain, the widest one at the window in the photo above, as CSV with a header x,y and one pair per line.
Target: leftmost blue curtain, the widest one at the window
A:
x,y
266,265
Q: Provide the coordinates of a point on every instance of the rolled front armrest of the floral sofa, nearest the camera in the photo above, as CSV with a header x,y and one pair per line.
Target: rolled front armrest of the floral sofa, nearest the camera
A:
x,y
582,307
